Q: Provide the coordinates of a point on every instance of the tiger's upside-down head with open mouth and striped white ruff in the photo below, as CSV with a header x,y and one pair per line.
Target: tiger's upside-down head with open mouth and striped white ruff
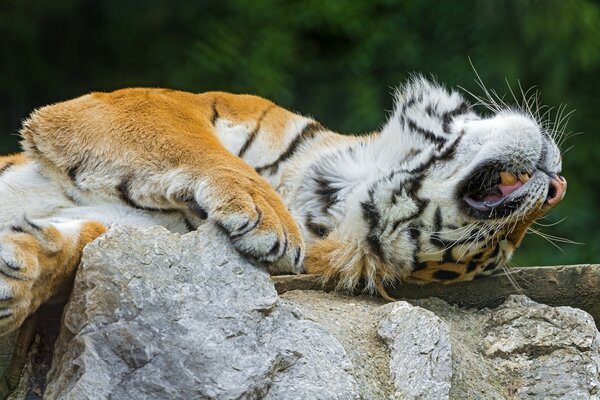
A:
x,y
443,194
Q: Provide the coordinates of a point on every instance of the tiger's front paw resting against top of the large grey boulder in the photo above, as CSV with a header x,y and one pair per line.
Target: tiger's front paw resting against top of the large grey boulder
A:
x,y
256,220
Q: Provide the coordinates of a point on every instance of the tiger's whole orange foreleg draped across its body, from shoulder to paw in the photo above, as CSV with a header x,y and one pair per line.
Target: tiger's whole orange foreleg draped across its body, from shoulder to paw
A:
x,y
167,159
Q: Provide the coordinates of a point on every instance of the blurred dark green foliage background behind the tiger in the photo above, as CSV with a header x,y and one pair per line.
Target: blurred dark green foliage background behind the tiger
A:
x,y
334,60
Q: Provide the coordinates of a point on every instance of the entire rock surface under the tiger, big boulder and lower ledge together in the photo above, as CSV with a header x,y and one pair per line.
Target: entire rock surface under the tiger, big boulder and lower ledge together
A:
x,y
158,315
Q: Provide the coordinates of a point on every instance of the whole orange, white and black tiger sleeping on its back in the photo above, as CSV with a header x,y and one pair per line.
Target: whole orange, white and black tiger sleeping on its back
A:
x,y
441,193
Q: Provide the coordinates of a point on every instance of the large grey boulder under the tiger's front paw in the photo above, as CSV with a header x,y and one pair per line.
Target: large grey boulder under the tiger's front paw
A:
x,y
155,315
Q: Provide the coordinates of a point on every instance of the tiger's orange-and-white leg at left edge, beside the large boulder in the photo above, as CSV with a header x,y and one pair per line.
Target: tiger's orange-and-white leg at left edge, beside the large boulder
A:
x,y
38,261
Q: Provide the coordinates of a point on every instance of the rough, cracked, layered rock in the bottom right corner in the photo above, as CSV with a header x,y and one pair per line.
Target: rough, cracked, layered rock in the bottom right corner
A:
x,y
554,350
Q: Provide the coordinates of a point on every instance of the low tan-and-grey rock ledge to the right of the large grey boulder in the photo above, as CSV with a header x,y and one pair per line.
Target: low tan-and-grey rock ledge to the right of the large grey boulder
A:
x,y
520,350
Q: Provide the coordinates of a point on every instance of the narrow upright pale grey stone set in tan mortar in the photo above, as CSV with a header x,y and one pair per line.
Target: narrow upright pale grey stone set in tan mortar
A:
x,y
420,354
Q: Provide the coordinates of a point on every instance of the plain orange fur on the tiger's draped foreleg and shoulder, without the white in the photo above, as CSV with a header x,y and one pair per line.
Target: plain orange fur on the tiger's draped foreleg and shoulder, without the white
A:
x,y
119,127
